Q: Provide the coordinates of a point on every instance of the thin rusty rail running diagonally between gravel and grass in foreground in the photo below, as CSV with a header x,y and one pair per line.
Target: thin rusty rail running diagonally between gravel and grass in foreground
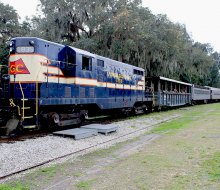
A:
x,y
82,150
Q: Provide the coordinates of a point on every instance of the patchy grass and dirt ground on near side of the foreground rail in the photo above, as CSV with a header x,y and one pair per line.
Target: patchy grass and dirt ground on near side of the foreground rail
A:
x,y
181,154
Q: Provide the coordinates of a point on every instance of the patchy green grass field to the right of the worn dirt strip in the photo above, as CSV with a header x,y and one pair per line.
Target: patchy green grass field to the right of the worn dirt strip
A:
x,y
187,156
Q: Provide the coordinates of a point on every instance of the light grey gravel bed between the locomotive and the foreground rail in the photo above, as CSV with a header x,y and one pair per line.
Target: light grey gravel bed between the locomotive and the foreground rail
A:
x,y
25,154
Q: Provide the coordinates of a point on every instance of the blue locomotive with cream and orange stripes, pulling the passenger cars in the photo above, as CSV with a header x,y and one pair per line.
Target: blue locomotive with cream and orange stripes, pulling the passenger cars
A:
x,y
56,85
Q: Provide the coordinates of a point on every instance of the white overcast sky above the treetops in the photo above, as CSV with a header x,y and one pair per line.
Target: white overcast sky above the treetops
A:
x,y
201,17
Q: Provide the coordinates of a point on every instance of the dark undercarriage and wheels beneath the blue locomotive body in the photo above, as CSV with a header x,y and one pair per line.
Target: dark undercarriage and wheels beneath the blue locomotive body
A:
x,y
19,115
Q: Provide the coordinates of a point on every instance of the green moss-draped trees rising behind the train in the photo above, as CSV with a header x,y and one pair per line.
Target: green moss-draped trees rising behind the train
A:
x,y
125,31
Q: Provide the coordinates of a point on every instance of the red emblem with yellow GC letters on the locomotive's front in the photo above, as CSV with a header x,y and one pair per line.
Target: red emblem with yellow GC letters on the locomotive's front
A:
x,y
18,67
